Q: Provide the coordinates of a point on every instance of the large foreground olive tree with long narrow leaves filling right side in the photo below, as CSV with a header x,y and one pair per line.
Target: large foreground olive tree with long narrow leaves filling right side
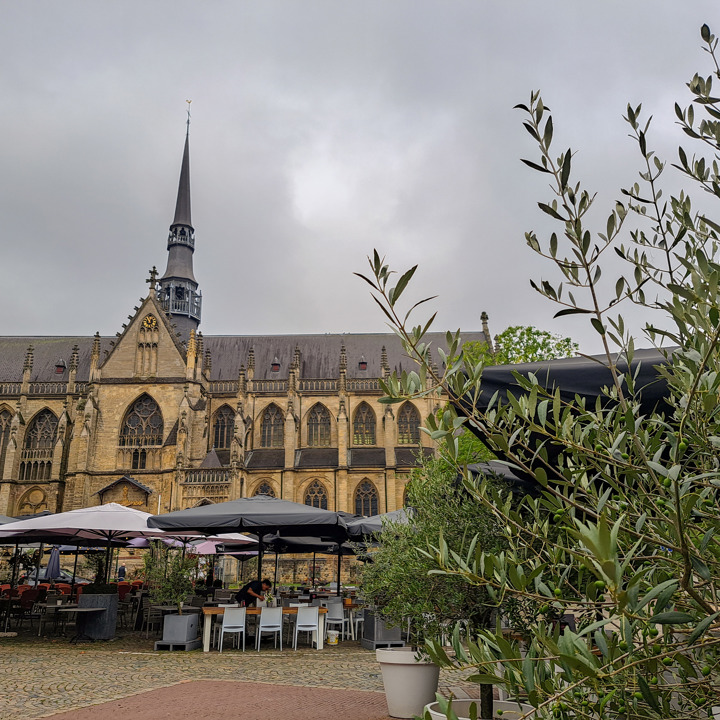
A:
x,y
626,536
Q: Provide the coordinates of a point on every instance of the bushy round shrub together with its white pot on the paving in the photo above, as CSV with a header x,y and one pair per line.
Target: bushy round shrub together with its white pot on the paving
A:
x,y
404,594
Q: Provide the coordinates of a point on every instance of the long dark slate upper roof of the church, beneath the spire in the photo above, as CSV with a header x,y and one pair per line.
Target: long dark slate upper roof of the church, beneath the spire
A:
x,y
319,354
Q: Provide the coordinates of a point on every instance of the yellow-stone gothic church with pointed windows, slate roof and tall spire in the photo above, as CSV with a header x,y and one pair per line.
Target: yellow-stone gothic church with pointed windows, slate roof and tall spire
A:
x,y
163,418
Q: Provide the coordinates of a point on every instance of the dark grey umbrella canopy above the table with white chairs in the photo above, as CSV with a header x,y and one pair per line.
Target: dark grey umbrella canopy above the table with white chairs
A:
x,y
259,515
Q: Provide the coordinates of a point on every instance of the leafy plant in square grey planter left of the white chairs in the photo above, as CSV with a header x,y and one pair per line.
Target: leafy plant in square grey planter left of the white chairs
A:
x,y
170,581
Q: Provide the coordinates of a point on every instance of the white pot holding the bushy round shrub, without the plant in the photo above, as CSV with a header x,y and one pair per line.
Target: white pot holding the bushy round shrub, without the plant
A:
x,y
410,684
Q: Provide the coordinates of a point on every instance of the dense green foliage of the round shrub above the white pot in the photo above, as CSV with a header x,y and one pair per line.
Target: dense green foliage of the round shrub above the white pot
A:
x,y
399,580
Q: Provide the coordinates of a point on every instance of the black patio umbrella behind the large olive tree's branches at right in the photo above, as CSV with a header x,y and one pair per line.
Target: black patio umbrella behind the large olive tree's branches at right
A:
x,y
578,376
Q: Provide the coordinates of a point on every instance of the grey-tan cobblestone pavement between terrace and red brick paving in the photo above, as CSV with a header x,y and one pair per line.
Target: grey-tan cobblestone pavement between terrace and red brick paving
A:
x,y
43,676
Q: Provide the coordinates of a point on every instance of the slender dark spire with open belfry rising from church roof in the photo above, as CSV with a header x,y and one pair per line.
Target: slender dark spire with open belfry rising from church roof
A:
x,y
178,290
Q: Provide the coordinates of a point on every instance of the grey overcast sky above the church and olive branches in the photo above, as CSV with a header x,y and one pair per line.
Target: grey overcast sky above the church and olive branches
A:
x,y
320,130
